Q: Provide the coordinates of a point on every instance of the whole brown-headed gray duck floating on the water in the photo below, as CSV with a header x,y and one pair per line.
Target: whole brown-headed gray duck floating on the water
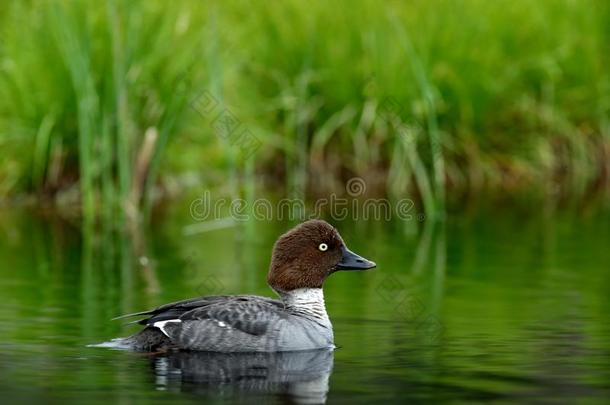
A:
x,y
301,261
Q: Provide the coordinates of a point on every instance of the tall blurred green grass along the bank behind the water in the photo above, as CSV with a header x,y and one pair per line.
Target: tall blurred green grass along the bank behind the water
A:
x,y
504,96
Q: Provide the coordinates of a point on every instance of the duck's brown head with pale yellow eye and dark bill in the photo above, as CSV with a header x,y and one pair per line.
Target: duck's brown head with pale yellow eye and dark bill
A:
x,y
304,256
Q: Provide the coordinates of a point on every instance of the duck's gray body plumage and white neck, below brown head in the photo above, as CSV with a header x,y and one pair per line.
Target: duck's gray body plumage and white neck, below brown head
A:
x,y
242,323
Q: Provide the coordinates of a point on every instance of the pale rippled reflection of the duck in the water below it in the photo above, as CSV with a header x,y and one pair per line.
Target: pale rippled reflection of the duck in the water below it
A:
x,y
302,377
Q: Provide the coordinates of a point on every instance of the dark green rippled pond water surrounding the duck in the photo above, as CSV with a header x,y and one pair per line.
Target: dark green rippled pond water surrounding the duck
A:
x,y
490,306
